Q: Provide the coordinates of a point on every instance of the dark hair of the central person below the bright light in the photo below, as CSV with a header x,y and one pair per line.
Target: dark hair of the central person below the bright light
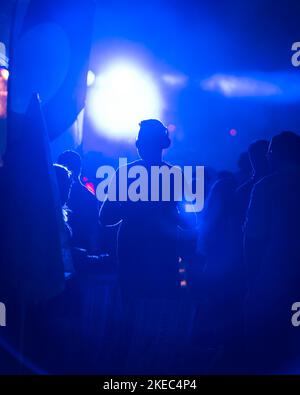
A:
x,y
152,132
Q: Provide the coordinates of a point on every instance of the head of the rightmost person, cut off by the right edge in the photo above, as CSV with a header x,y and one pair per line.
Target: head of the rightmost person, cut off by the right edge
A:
x,y
284,150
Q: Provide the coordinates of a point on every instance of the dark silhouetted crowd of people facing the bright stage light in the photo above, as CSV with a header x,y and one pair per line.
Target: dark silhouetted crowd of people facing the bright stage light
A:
x,y
161,290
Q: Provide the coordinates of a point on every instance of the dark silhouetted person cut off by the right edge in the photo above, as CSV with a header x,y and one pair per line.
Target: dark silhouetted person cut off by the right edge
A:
x,y
272,251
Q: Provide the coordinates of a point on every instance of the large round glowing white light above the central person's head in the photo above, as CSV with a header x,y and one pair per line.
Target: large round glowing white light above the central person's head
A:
x,y
120,98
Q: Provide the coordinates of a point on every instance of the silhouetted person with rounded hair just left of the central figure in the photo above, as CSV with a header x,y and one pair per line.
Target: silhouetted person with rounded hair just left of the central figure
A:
x,y
83,214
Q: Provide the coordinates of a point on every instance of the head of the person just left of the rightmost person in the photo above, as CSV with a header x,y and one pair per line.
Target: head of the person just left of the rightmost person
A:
x,y
258,157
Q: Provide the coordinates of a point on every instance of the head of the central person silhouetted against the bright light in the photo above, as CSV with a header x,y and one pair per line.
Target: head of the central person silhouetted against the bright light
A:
x,y
152,139
